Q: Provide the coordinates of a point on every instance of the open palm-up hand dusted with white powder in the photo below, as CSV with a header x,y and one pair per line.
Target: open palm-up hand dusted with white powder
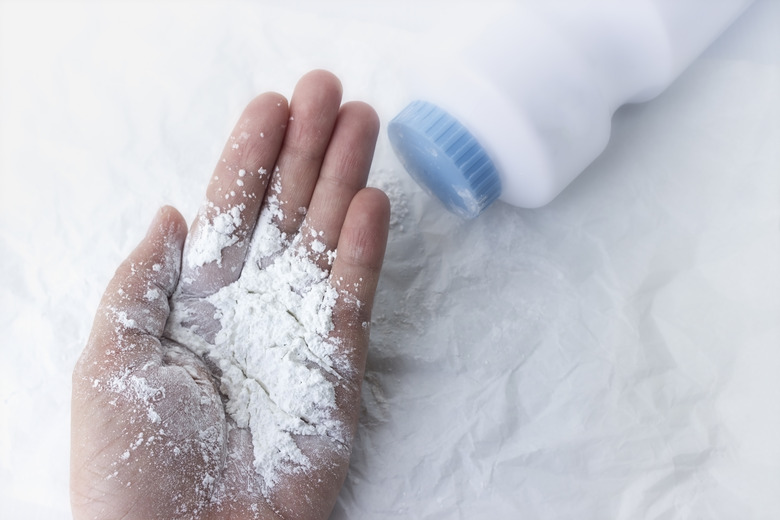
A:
x,y
157,424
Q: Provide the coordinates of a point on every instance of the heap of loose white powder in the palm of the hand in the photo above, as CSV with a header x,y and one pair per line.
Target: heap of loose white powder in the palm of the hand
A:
x,y
272,347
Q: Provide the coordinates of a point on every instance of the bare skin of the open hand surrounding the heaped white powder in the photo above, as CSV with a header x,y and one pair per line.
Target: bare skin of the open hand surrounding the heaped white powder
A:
x,y
127,462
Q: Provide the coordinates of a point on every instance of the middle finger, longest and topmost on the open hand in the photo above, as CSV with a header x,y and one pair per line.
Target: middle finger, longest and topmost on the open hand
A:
x,y
314,108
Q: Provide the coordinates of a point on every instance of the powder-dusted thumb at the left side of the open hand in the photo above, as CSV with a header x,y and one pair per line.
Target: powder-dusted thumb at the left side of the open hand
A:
x,y
132,314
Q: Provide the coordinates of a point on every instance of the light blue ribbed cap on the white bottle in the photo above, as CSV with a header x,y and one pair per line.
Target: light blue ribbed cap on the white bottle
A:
x,y
444,158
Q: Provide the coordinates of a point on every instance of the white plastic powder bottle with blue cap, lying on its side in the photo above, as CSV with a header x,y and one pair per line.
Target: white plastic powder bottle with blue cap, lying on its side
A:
x,y
526,104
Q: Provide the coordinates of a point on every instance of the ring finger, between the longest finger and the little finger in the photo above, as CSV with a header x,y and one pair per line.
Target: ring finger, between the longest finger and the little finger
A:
x,y
344,172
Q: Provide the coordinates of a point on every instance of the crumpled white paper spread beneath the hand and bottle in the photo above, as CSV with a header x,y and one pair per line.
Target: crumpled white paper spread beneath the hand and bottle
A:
x,y
612,355
